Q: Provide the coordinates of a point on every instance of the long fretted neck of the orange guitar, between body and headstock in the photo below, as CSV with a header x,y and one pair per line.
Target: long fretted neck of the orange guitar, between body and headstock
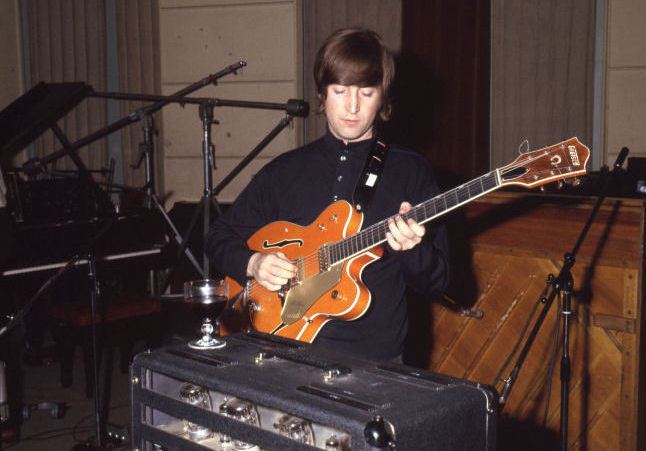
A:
x,y
421,213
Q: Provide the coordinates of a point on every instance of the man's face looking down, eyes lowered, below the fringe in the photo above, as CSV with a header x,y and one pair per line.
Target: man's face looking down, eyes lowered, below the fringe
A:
x,y
351,110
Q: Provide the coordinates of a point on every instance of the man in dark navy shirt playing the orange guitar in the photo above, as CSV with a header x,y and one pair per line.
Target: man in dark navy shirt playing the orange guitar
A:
x,y
353,72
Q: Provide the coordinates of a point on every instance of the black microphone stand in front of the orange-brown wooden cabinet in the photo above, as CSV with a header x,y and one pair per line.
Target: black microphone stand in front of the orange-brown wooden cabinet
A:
x,y
562,286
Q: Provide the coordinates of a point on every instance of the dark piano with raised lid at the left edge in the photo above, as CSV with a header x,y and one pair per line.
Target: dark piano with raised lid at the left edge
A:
x,y
52,219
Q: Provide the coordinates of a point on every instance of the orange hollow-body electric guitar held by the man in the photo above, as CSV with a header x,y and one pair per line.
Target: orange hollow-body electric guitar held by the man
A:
x,y
332,251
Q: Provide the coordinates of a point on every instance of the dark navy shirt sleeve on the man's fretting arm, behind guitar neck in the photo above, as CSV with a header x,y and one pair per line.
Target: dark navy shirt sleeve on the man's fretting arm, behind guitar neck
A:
x,y
425,268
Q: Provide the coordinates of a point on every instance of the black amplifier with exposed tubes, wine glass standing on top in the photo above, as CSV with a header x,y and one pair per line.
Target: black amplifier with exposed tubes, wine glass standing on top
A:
x,y
263,392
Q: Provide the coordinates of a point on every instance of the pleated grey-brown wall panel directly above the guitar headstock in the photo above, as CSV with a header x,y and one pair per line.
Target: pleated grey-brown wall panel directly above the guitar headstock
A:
x,y
542,67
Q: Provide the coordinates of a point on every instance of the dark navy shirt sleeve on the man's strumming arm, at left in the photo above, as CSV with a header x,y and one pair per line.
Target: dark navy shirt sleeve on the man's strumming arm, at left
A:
x,y
226,244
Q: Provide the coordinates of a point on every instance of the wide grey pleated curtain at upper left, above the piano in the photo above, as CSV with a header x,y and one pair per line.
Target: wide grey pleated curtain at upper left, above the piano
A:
x,y
67,43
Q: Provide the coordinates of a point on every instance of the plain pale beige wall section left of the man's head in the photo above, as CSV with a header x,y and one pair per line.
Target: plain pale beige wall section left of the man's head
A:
x,y
201,37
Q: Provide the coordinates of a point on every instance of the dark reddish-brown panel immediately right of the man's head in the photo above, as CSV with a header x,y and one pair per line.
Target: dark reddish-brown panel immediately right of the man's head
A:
x,y
442,87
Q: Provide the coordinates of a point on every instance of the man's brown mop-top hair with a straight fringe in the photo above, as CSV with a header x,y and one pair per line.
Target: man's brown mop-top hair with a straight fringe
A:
x,y
355,56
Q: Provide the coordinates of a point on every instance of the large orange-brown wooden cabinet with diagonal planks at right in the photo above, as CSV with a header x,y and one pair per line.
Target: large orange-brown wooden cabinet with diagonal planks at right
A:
x,y
510,243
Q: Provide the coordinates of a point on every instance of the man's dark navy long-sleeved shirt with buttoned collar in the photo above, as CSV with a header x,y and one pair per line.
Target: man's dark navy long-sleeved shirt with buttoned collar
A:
x,y
297,186
